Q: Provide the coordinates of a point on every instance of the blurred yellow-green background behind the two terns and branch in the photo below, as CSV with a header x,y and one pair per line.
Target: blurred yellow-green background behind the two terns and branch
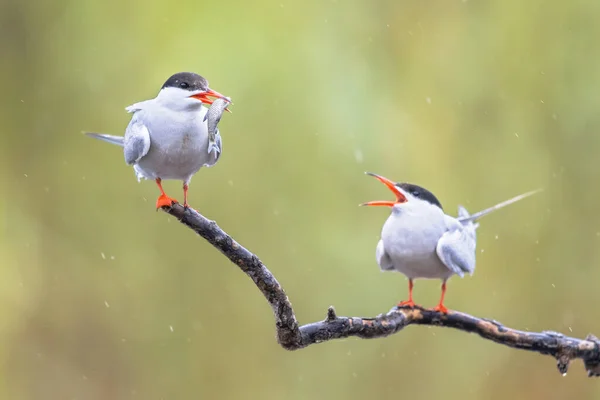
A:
x,y
103,298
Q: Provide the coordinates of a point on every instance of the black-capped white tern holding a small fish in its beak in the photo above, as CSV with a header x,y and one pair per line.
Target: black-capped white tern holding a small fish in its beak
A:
x,y
167,137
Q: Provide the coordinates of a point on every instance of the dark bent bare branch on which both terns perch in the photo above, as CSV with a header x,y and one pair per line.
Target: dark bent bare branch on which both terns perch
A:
x,y
291,336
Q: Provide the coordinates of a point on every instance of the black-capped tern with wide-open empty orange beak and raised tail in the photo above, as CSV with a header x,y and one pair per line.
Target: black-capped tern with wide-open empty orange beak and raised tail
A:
x,y
421,241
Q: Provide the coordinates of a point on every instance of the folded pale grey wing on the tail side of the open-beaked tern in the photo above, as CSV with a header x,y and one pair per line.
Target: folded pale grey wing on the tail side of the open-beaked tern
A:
x,y
456,250
